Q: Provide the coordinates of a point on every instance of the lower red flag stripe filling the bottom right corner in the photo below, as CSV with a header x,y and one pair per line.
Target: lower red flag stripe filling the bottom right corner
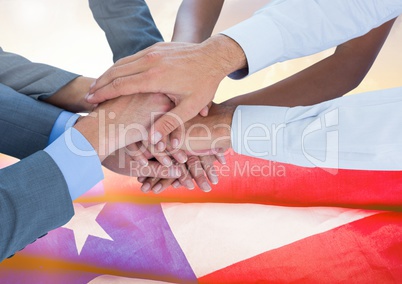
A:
x,y
365,251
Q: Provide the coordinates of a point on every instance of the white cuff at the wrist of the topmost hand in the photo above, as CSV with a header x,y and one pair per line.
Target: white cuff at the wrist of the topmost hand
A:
x,y
261,49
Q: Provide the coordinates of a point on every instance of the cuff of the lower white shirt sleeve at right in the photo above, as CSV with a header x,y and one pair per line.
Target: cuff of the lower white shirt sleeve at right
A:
x,y
258,131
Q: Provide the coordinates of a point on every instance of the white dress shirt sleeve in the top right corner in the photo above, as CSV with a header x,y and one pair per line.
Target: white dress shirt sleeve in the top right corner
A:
x,y
286,29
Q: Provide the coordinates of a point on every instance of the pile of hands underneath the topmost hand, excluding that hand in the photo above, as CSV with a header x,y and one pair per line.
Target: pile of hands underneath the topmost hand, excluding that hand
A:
x,y
118,129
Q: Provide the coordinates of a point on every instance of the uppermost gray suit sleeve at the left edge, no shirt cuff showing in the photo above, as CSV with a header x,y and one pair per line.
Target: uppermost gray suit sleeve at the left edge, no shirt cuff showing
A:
x,y
33,79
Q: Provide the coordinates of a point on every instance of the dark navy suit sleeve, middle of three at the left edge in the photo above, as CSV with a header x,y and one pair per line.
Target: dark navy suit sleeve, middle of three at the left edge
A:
x,y
25,124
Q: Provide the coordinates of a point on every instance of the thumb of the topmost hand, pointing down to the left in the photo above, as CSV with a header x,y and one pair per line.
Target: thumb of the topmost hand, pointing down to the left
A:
x,y
186,110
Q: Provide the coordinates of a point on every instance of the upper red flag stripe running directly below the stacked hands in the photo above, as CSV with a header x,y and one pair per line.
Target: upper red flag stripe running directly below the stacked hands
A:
x,y
298,187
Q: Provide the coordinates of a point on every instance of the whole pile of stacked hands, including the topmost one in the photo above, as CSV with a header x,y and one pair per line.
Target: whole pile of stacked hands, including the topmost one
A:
x,y
167,131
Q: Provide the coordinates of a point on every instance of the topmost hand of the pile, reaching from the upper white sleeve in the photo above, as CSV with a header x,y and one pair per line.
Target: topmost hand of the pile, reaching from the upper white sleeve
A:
x,y
188,73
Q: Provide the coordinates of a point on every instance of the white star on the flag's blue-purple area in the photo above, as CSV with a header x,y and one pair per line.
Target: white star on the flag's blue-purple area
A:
x,y
84,224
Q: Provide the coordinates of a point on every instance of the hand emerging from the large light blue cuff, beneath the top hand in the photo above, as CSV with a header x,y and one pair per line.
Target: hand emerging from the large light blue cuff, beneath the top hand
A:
x,y
121,122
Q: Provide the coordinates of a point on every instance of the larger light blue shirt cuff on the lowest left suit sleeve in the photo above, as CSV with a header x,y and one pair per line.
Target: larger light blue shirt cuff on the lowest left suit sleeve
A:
x,y
77,160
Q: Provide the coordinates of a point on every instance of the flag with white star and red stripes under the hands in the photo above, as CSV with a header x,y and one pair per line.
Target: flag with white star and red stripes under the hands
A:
x,y
289,224
